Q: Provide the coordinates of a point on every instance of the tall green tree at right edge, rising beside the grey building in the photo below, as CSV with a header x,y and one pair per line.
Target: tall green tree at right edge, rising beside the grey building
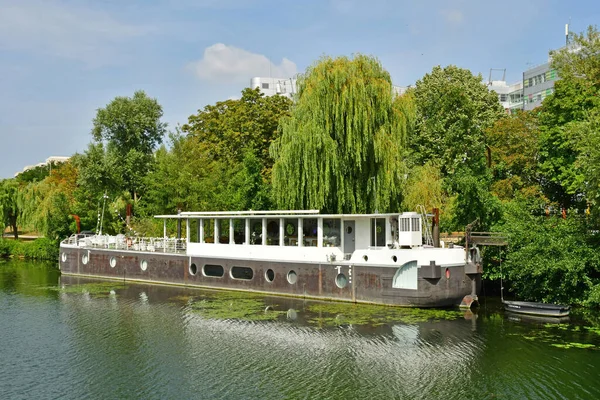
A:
x,y
575,100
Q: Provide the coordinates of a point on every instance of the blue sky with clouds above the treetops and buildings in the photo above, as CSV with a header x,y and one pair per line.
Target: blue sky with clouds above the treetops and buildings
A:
x,y
60,60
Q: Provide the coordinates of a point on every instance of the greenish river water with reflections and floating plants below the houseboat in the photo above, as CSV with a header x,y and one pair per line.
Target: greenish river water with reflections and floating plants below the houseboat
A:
x,y
70,338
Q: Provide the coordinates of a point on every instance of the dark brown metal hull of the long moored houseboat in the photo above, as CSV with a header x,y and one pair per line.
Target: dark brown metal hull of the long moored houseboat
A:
x,y
366,284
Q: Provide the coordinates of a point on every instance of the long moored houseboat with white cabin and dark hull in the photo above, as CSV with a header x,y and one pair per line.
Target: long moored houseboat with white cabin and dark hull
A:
x,y
362,258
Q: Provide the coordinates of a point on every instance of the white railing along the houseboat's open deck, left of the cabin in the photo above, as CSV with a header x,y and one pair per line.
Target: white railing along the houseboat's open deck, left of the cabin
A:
x,y
122,242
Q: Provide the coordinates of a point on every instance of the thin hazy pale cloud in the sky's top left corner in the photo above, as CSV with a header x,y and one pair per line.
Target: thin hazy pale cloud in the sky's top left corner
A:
x,y
63,30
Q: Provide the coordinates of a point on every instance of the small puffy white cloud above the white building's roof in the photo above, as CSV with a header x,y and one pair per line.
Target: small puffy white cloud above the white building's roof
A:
x,y
232,64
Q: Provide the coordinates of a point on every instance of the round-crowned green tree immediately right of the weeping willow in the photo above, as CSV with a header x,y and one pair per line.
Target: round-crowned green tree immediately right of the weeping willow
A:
x,y
454,108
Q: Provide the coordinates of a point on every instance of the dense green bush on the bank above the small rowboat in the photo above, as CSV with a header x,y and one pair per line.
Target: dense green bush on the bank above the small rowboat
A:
x,y
550,259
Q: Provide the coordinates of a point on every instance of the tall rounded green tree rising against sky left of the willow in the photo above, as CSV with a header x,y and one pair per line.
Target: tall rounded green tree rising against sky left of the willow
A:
x,y
131,129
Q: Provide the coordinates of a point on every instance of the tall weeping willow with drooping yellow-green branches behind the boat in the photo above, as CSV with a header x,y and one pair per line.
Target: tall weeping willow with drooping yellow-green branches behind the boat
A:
x,y
341,149
